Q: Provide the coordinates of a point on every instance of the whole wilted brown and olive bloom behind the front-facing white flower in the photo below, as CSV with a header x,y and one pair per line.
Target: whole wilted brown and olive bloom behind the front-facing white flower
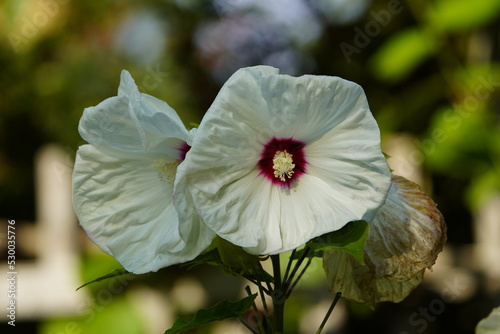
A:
x,y
404,239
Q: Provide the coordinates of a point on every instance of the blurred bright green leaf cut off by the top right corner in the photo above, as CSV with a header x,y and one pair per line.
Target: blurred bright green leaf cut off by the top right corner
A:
x,y
460,15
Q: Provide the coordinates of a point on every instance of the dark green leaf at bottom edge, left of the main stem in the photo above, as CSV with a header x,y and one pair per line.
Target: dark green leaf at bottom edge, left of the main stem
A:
x,y
220,311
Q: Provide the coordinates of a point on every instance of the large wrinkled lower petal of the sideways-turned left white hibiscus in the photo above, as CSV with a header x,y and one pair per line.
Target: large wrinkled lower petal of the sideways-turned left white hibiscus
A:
x,y
128,211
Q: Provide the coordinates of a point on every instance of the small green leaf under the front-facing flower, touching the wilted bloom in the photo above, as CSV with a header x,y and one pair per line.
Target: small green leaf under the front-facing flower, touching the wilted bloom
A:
x,y
350,239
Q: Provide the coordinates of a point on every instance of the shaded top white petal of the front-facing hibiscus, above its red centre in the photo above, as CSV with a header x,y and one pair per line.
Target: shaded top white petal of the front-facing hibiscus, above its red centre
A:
x,y
304,108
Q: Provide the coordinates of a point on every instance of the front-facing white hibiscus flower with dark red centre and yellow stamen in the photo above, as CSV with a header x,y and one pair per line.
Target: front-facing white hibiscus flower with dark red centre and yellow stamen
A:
x,y
279,160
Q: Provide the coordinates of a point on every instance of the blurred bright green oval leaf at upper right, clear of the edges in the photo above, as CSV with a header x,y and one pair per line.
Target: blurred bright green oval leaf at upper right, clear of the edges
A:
x,y
401,54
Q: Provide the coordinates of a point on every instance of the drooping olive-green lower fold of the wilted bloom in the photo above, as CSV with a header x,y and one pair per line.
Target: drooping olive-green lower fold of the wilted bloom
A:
x,y
359,284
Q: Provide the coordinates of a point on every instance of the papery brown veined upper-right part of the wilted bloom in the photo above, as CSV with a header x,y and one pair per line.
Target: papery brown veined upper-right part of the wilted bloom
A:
x,y
407,233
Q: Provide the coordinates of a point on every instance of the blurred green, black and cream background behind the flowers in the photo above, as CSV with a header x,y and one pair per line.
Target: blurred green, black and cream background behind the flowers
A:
x,y
430,70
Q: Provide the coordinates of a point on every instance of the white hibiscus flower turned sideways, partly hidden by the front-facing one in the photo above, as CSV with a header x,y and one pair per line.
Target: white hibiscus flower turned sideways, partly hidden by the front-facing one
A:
x,y
123,182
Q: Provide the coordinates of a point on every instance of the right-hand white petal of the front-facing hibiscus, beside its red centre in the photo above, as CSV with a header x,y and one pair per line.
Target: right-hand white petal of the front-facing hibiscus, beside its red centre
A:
x,y
350,160
